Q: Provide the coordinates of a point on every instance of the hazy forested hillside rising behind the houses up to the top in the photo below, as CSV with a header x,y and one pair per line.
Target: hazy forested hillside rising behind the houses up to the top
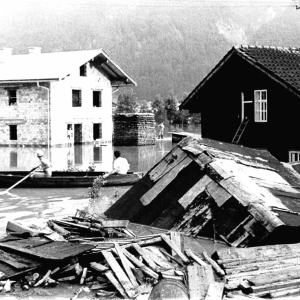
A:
x,y
163,47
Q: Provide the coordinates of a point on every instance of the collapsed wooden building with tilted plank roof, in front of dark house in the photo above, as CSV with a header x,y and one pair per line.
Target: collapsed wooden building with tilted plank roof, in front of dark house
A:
x,y
202,187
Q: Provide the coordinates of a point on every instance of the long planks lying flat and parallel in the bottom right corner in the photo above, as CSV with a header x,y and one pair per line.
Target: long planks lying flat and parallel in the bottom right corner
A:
x,y
265,271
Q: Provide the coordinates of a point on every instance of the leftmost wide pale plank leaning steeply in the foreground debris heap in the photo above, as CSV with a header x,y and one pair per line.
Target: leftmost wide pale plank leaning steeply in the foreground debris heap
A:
x,y
119,273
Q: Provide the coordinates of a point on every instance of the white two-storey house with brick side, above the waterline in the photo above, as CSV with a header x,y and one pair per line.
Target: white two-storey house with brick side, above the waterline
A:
x,y
57,98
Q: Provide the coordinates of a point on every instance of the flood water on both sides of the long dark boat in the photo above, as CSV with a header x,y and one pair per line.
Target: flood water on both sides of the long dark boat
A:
x,y
36,205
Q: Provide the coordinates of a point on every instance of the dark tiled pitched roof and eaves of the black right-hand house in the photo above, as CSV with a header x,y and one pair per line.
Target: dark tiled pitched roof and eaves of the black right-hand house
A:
x,y
280,63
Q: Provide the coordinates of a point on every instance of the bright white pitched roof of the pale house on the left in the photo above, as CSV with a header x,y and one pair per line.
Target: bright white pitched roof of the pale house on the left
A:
x,y
57,65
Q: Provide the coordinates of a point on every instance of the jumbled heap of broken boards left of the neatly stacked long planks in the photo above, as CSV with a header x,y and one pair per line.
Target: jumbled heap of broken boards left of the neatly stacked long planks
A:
x,y
106,258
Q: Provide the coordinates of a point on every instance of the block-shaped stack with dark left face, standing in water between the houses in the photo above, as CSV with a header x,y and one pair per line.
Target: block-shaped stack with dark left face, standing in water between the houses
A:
x,y
134,129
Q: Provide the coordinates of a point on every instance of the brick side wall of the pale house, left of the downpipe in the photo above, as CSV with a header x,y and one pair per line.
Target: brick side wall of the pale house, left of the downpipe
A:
x,y
29,114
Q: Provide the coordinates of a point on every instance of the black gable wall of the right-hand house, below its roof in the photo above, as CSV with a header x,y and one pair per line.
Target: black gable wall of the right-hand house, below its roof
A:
x,y
221,108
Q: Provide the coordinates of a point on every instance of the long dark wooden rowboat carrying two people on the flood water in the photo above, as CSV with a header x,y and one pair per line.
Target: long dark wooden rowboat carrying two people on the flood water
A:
x,y
63,179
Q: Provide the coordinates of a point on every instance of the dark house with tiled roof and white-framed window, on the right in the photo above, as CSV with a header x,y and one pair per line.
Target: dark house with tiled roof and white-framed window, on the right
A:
x,y
252,97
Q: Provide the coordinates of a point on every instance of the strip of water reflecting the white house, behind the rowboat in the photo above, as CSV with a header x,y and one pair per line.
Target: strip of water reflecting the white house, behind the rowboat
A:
x,y
140,158
